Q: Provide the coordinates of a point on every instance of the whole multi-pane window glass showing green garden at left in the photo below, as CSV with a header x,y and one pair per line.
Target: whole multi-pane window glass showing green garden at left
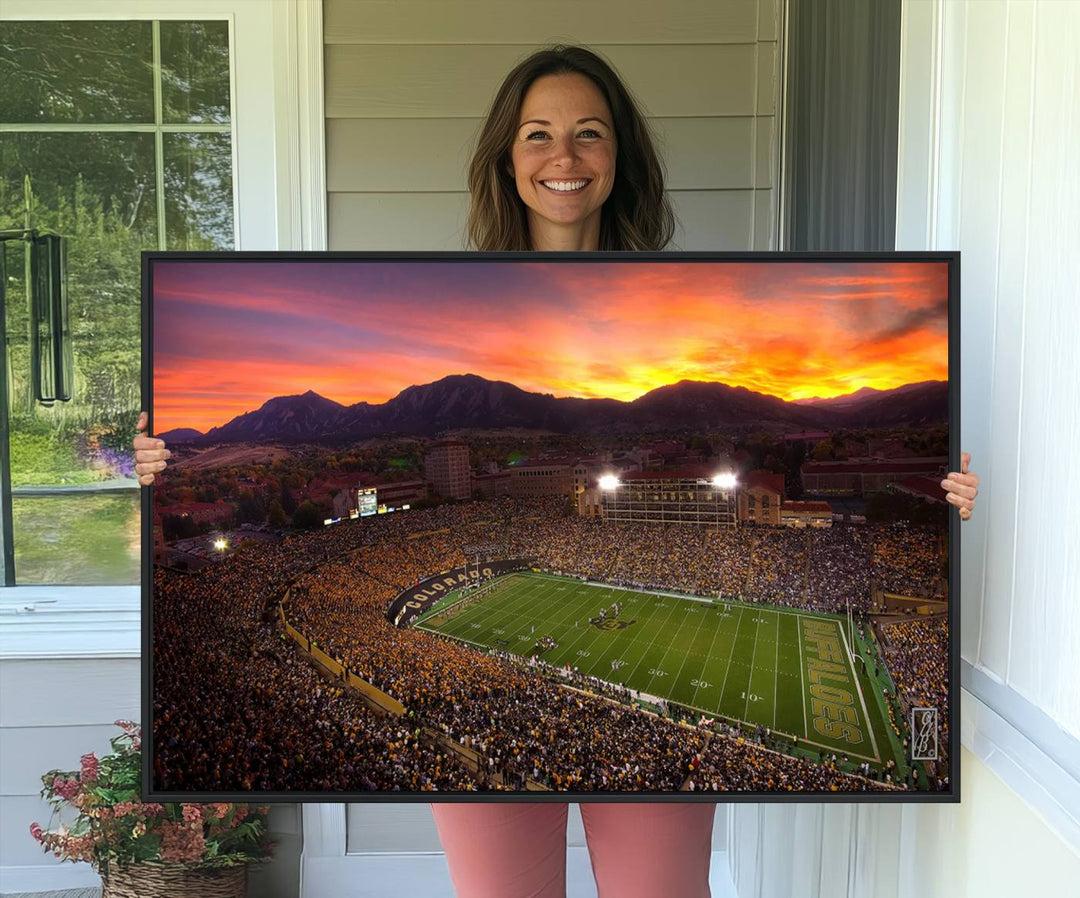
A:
x,y
118,137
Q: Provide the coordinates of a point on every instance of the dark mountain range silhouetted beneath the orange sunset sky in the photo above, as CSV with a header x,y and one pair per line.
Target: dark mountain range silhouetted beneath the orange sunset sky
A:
x,y
467,401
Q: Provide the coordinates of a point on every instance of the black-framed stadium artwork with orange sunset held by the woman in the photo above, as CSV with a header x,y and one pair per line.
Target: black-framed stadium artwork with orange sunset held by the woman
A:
x,y
609,527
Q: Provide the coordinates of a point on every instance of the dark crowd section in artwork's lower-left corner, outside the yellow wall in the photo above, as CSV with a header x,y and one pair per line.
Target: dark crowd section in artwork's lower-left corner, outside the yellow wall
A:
x,y
238,708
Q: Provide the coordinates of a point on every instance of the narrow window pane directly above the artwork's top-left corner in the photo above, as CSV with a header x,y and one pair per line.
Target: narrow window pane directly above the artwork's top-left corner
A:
x,y
199,192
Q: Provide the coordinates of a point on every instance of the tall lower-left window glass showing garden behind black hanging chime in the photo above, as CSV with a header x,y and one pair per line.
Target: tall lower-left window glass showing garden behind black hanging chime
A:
x,y
99,192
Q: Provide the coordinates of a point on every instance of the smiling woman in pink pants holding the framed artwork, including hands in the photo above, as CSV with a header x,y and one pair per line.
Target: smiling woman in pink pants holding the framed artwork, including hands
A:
x,y
565,163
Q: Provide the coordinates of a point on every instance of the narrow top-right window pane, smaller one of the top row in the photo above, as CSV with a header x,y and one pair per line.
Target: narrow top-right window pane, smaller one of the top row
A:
x,y
195,72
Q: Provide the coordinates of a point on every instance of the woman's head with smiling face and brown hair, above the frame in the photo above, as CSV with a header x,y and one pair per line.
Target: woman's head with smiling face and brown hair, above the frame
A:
x,y
563,117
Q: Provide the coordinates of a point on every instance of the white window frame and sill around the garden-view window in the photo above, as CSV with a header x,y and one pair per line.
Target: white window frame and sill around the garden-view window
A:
x,y
280,204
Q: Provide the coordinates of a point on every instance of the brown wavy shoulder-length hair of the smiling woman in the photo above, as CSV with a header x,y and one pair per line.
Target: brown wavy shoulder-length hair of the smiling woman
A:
x,y
638,215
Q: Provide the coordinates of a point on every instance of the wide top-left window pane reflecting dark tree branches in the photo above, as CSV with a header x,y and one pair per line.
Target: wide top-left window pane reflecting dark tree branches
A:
x,y
76,72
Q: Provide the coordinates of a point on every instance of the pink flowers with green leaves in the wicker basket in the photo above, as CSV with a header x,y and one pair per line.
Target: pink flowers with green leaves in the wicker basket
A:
x,y
114,827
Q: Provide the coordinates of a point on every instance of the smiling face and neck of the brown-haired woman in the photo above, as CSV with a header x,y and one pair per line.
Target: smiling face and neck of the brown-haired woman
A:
x,y
563,156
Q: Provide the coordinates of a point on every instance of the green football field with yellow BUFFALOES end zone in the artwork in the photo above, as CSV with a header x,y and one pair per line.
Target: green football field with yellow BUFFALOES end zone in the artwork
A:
x,y
790,671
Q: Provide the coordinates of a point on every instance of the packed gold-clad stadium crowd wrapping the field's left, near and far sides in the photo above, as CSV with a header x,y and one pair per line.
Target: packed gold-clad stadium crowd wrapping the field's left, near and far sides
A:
x,y
237,707
